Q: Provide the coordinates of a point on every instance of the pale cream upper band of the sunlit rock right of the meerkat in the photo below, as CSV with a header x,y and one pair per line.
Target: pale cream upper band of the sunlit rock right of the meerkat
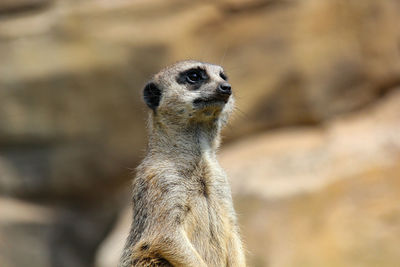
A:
x,y
286,162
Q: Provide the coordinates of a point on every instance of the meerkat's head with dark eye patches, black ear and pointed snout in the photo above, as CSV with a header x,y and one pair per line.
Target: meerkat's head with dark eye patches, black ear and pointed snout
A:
x,y
190,92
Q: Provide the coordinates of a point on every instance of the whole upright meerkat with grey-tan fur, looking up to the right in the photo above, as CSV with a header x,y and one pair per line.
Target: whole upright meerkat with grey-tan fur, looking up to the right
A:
x,y
183,213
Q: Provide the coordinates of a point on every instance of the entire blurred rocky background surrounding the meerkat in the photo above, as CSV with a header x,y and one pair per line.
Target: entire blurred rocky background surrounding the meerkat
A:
x,y
313,151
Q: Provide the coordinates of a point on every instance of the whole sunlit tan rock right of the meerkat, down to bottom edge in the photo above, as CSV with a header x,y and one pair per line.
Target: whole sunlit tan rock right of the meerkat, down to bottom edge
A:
x,y
322,196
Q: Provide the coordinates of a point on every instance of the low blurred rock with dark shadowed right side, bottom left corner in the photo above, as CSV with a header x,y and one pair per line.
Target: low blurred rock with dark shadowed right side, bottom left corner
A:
x,y
34,234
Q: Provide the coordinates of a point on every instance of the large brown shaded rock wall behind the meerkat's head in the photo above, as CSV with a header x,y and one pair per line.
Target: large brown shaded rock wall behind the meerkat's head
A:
x,y
73,92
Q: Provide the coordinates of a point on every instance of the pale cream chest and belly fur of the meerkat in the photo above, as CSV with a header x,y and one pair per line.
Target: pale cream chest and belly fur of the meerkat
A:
x,y
209,222
